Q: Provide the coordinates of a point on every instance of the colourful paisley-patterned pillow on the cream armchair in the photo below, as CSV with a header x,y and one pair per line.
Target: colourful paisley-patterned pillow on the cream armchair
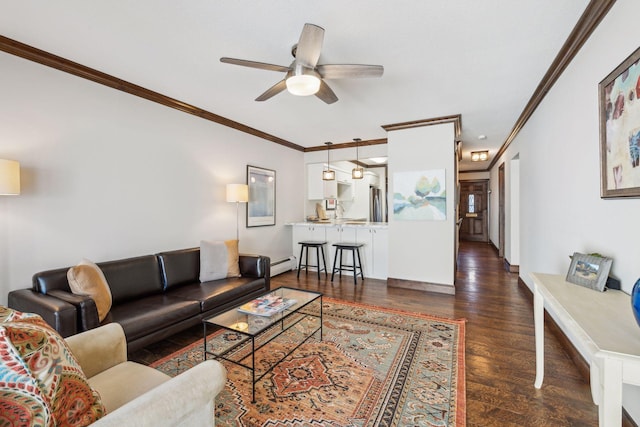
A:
x,y
41,382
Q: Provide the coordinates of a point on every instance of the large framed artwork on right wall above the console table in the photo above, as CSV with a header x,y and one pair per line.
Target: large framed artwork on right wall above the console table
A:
x,y
619,101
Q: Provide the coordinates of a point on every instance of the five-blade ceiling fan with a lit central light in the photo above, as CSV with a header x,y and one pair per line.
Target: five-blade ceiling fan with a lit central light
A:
x,y
305,76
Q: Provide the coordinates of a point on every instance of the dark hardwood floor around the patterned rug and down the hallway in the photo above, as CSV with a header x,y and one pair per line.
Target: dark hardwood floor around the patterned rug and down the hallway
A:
x,y
500,350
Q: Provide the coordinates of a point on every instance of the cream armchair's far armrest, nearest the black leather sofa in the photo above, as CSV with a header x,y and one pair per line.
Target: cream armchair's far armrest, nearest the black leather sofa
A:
x,y
99,349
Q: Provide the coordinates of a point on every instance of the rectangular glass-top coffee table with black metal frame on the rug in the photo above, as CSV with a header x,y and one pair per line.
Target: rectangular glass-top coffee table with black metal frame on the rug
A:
x,y
268,339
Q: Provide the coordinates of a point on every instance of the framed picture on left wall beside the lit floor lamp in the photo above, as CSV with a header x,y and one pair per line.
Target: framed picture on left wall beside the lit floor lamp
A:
x,y
261,208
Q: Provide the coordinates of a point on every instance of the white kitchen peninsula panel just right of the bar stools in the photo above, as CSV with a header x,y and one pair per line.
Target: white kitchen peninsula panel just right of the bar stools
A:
x,y
374,253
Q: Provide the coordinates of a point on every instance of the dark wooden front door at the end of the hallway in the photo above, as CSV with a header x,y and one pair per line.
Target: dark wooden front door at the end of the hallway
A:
x,y
473,210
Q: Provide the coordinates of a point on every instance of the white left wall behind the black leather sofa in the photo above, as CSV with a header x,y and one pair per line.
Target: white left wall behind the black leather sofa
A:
x,y
107,175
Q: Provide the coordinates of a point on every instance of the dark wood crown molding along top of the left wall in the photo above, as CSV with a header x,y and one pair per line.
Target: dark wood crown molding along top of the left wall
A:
x,y
31,53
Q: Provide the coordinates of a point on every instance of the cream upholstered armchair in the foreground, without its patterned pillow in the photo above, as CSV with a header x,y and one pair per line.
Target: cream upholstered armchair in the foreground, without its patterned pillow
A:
x,y
137,395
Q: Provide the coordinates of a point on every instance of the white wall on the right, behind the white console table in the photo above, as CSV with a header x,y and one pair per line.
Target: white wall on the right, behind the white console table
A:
x,y
561,210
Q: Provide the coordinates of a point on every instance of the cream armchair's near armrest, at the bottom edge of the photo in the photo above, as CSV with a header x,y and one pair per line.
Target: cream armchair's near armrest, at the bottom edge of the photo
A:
x,y
185,400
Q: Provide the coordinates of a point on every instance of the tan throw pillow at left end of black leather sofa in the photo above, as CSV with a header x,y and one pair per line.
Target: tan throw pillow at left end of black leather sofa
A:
x,y
86,278
